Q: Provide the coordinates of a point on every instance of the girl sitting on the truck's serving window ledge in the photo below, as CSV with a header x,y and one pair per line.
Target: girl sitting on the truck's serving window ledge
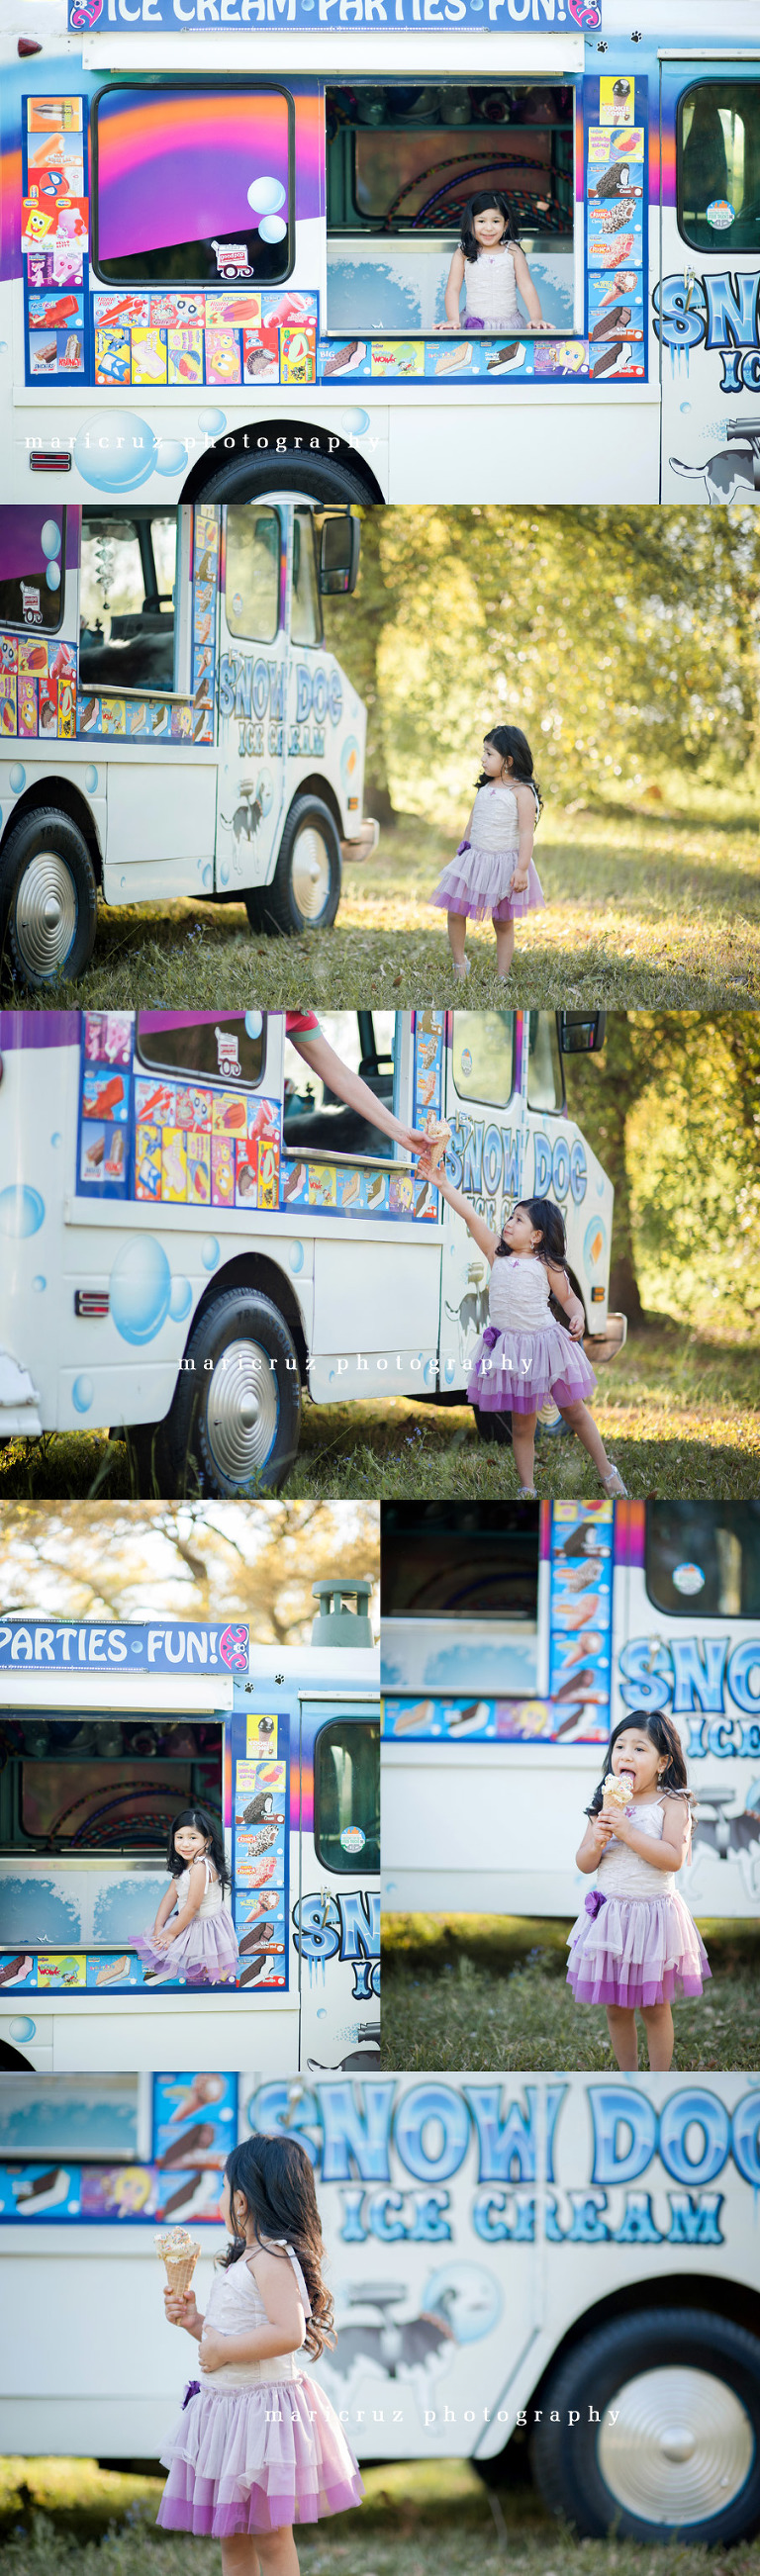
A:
x,y
195,1933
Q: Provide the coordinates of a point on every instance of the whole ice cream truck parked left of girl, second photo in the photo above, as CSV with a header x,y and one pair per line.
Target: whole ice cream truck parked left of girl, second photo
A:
x,y
171,720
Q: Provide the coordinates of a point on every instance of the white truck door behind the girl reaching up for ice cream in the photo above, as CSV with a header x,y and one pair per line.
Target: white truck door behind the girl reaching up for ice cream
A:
x,y
486,1163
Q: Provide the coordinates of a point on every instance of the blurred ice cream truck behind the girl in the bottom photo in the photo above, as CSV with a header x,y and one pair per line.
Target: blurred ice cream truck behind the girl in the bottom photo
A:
x,y
558,2271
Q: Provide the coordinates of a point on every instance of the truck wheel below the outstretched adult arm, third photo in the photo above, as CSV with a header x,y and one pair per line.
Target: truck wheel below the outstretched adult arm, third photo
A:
x,y
236,1418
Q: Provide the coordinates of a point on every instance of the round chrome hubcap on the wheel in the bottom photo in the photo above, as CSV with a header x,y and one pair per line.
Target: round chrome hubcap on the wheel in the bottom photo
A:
x,y
681,2448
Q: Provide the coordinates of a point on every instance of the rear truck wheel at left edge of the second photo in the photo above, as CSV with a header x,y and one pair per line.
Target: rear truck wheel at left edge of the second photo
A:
x,y
48,898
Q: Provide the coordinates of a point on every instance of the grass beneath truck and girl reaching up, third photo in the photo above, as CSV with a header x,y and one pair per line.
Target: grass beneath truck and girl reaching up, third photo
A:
x,y
679,1413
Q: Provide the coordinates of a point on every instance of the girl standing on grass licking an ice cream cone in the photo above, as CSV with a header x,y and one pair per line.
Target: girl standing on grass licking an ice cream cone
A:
x,y
635,1944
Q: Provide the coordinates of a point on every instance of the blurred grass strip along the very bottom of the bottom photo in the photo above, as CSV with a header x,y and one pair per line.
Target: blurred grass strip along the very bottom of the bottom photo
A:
x,y
416,2518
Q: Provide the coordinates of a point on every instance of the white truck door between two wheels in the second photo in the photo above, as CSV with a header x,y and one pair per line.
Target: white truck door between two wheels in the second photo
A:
x,y
254,694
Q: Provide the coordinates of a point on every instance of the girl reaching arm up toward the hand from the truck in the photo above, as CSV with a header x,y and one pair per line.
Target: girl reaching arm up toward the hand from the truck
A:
x,y
524,1356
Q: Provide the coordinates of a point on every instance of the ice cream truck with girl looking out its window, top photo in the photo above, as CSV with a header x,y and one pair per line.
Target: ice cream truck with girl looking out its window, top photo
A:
x,y
231,231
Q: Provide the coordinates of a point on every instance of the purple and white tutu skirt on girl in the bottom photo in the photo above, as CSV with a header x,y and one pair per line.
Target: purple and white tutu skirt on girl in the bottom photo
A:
x,y
256,2459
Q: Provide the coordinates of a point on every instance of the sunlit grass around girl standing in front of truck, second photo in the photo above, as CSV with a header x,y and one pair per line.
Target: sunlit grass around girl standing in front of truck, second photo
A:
x,y
645,908
